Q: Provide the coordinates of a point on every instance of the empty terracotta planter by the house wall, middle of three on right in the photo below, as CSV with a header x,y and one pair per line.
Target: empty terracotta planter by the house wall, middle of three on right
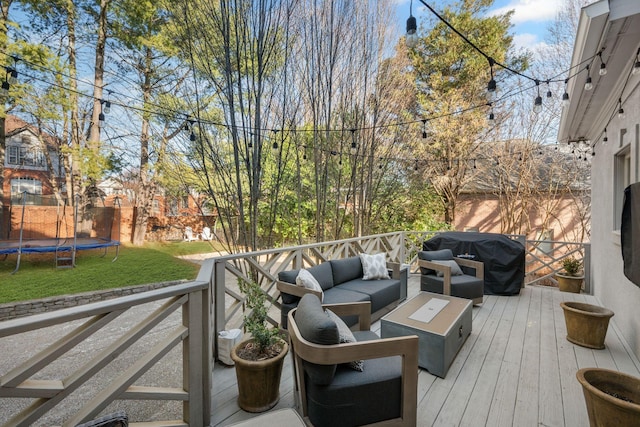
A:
x,y
586,324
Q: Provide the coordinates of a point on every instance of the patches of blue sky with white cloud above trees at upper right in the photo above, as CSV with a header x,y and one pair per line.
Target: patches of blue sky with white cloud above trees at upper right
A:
x,y
530,19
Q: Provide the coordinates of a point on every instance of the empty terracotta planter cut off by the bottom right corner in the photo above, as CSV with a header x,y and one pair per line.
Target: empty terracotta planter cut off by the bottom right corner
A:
x,y
612,398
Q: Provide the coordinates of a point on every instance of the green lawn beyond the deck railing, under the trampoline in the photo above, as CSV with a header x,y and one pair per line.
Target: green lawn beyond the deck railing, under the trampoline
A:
x,y
152,263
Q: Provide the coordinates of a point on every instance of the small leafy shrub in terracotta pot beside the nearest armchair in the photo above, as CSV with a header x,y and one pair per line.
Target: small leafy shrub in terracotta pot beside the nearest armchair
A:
x,y
258,360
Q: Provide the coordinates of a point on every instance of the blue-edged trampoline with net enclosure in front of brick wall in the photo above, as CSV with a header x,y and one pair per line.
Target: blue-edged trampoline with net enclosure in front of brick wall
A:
x,y
81,234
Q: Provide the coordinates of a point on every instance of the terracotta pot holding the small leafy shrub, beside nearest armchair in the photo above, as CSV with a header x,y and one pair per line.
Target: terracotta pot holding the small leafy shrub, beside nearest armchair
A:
x,y
258,381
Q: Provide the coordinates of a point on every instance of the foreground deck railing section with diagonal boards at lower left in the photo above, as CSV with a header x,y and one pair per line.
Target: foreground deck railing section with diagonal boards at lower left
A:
x,y
83,326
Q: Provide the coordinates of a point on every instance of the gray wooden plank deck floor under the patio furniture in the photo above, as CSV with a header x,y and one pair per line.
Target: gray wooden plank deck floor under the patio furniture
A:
x,y
515,369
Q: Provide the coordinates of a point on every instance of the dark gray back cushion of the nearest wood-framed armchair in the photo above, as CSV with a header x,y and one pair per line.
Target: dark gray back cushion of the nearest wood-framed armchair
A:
x,y
316,327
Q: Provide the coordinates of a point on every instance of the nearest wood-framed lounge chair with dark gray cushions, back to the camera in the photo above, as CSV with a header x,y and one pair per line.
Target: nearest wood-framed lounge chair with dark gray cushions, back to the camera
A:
x,y
328,391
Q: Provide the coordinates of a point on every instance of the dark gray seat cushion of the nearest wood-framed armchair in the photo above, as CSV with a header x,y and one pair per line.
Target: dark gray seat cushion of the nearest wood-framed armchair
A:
x,y
355,398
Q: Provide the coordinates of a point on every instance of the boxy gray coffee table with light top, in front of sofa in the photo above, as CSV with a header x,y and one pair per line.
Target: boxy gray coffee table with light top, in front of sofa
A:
x,y
441,322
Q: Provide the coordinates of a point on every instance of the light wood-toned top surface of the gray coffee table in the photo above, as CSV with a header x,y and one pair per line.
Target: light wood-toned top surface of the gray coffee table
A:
x,y
440,324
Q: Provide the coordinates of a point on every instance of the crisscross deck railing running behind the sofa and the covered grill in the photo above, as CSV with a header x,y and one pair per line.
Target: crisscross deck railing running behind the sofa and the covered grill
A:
x,y
542,262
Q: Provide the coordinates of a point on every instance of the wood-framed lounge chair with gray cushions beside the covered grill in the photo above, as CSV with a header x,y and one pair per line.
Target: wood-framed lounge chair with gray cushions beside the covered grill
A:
x,y
441,274
